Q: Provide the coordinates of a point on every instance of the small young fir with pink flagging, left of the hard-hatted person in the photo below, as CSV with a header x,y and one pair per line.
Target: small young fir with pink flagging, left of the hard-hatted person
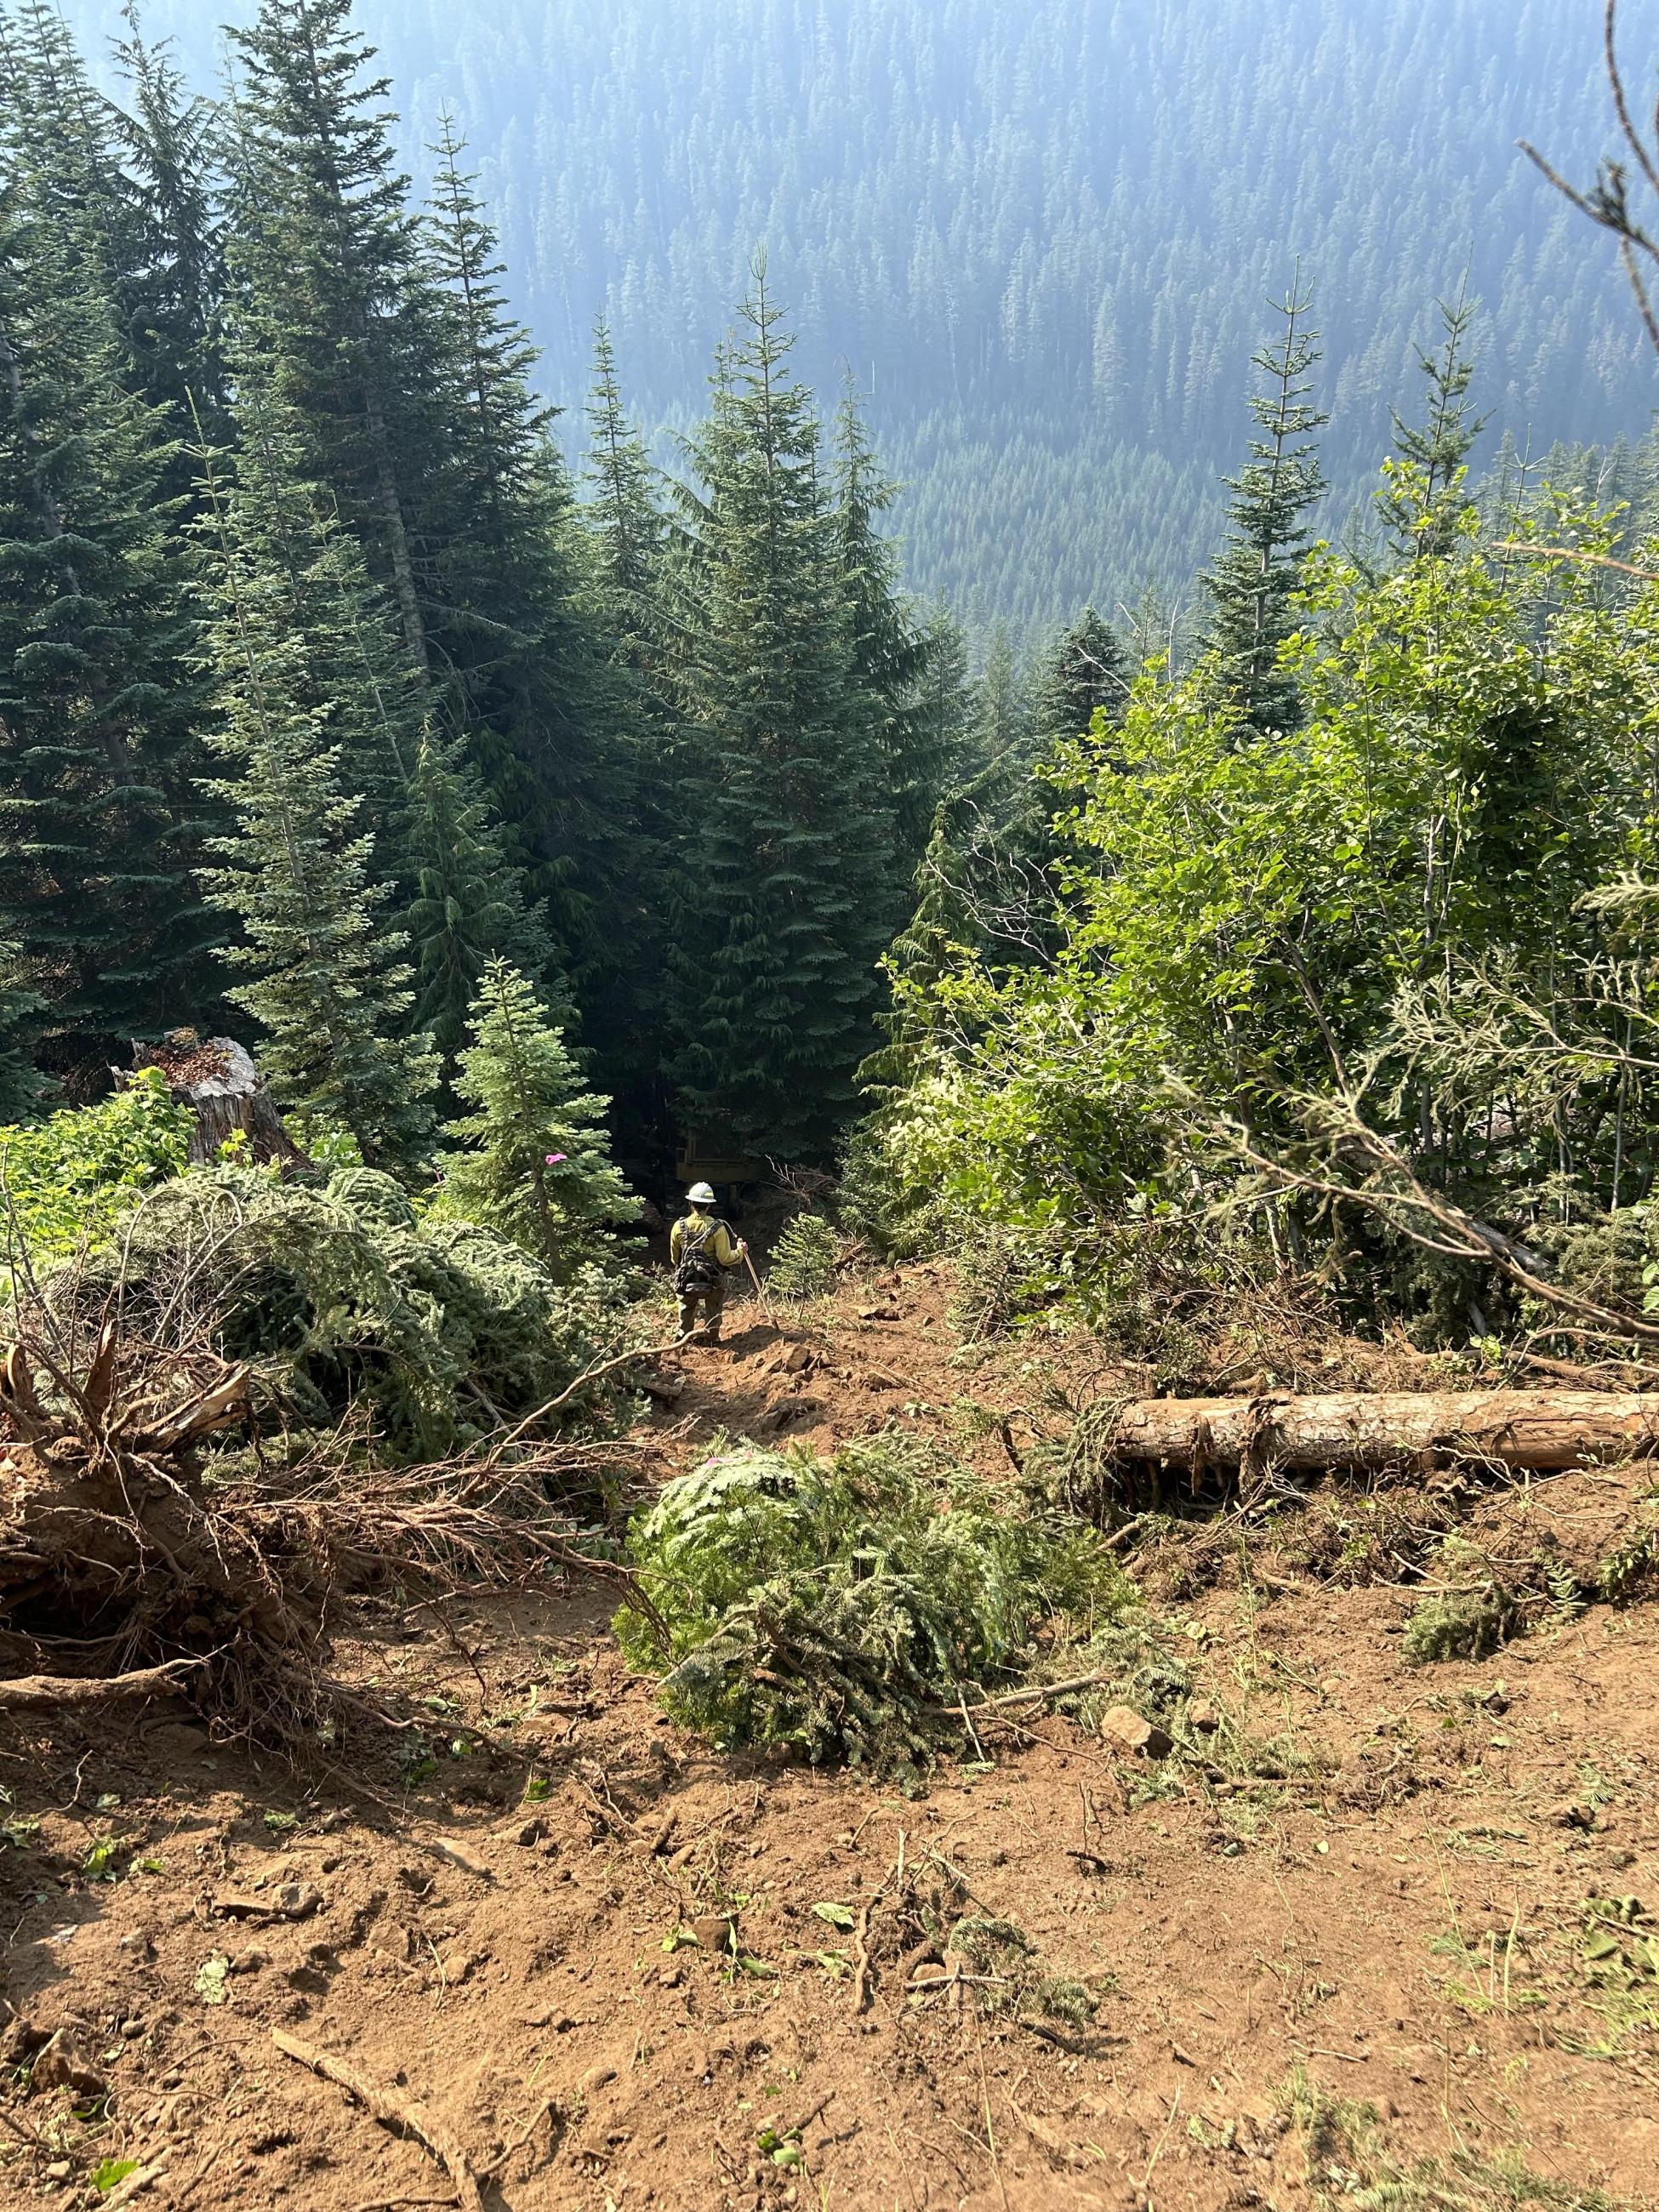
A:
x,y
532,1160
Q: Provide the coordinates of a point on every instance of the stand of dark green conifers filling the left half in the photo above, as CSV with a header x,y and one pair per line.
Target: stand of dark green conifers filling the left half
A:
x,y
335,705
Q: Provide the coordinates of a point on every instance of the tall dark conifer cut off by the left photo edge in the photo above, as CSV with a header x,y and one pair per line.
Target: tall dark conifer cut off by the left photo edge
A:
x,y
101,820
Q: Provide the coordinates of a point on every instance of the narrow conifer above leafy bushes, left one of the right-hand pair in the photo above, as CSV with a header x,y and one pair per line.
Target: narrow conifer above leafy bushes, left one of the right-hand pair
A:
x,y
1255,578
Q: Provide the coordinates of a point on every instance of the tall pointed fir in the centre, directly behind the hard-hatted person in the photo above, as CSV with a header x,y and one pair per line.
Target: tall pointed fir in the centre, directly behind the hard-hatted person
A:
x,y
782,875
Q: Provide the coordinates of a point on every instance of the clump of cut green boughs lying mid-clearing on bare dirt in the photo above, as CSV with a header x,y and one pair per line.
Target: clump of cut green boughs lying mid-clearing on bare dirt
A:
x,y
846,1607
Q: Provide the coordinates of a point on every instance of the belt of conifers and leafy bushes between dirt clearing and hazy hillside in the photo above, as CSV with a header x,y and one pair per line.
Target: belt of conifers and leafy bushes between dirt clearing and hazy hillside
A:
x,y
534,806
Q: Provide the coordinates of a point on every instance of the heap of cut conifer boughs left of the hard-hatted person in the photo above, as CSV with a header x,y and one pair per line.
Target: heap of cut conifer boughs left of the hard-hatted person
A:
x,y
353,1302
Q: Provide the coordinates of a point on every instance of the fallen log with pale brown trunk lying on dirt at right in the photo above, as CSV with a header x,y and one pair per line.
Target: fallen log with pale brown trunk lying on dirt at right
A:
x,y
1541,1432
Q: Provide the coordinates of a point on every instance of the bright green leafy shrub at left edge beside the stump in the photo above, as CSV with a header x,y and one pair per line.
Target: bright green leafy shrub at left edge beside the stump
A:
x,y
72,1178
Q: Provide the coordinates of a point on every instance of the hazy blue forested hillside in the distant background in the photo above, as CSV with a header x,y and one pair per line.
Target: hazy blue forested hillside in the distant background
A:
x,y
1039,238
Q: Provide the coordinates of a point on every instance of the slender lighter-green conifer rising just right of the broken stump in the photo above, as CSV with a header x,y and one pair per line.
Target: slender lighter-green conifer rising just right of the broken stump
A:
x,y
331,983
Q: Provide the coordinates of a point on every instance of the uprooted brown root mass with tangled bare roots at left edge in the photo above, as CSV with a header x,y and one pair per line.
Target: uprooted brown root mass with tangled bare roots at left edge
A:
x,y
136,1558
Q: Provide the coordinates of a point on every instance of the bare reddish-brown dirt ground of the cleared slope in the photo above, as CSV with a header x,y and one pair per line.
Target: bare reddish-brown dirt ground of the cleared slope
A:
x,y
490,1910
